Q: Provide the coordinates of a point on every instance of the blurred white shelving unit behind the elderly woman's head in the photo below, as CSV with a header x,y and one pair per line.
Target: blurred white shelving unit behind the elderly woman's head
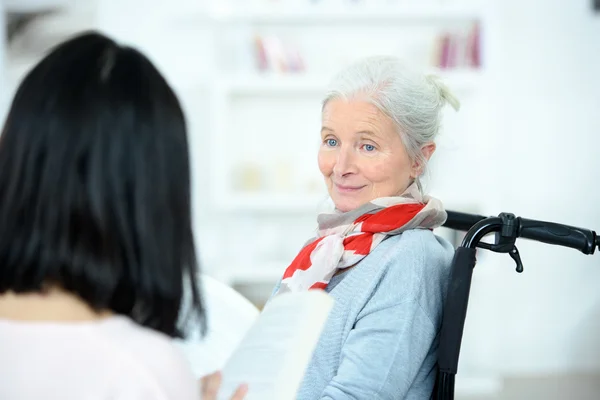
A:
x,y
236,85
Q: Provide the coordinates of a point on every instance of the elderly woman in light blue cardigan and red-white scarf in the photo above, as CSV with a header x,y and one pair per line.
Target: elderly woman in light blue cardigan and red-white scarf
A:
x,y
376,253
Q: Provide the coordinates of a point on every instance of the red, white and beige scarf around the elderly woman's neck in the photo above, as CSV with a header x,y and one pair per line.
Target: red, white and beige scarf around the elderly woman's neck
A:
x,y
343,239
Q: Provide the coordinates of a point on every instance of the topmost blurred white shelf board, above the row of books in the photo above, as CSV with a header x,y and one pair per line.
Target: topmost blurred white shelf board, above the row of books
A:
x,y
347,14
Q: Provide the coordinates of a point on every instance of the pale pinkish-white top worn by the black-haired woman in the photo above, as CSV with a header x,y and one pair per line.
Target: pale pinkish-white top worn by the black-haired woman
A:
x,y
113,358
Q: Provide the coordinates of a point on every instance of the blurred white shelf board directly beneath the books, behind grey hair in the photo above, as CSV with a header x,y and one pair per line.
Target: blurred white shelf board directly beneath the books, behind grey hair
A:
x,y
273,84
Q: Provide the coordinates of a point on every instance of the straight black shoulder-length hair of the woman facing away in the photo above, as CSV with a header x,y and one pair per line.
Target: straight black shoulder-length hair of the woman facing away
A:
x,y
95,185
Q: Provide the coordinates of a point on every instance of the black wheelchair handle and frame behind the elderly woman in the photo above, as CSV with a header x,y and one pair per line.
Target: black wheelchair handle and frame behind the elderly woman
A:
x,y
507,228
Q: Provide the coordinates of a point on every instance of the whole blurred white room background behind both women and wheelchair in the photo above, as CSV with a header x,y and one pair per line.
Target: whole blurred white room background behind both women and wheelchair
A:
x,y
251,74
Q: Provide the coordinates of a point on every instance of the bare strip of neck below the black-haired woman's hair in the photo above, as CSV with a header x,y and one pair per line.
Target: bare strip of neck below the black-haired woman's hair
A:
x,y
52,305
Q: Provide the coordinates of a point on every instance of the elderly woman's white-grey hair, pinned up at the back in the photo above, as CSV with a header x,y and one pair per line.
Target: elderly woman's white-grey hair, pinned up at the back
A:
x,y
413,101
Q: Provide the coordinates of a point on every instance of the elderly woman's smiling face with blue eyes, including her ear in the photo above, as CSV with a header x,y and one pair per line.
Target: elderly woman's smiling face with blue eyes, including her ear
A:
x,y
362,156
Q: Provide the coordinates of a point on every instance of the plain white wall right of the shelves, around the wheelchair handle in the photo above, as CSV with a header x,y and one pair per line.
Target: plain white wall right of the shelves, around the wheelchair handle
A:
x,y
547,135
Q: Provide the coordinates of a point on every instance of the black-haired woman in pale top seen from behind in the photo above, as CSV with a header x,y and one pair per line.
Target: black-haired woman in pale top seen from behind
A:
x,y
96,245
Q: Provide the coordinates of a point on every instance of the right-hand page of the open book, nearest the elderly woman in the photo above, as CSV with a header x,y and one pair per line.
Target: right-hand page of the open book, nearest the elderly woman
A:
x,y
273,356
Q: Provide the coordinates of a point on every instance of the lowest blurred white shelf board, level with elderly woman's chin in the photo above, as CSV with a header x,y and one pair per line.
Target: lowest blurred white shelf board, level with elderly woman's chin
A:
x,y
272,203
